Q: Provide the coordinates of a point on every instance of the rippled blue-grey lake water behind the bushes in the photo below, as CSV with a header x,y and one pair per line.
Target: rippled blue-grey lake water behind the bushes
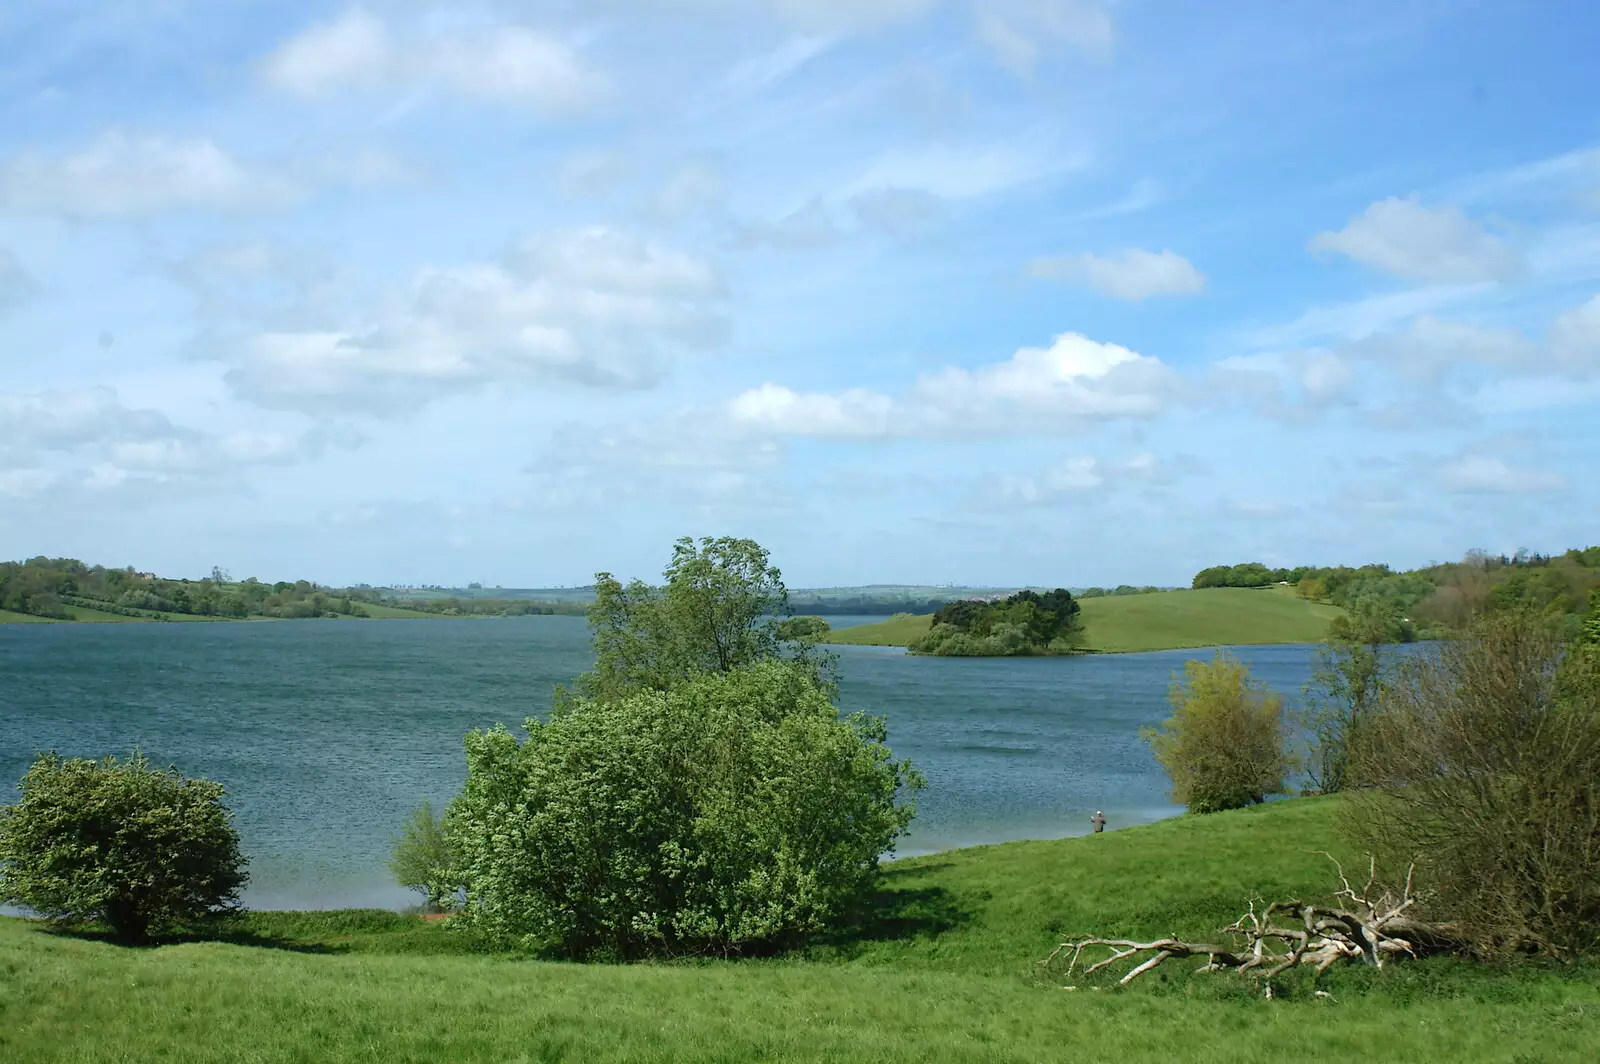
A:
x,y
327,734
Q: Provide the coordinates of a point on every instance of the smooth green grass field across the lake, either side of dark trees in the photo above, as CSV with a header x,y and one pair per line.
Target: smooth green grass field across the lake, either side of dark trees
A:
x,y
1175,620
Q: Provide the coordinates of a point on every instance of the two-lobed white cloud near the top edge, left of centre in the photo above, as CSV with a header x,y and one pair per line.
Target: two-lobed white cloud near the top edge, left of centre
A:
x,y
506,63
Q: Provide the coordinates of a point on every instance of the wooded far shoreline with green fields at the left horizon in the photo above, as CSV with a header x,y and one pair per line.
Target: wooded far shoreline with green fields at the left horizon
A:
x,y
50,588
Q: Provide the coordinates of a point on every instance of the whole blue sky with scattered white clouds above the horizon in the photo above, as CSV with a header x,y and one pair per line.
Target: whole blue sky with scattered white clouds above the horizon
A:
x,y
1018,292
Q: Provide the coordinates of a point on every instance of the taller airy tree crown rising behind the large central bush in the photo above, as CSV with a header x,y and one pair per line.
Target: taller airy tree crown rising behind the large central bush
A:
x,y
722,609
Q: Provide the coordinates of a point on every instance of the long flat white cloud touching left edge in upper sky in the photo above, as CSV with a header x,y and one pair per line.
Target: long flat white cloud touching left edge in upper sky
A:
x,y
122,175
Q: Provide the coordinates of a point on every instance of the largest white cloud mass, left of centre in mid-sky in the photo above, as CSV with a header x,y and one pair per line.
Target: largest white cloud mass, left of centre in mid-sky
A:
x,y
594,306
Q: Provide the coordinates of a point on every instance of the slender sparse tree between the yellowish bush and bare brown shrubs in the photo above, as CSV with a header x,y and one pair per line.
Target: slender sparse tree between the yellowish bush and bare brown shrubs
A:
x,y
1345,689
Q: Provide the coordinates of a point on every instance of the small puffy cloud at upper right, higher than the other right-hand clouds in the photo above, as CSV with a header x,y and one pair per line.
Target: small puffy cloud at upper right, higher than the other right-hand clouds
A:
x,y
1406,239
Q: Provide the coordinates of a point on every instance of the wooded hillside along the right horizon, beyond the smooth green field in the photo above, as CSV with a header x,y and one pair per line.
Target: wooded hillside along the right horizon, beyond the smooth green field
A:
x,y
1436,598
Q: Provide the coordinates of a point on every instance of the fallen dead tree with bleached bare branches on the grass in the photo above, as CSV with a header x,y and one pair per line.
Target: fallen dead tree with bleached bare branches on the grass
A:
x,y
1271,938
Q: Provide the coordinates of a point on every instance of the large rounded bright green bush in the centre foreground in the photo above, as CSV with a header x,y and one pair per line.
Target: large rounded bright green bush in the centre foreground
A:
x,y
732,814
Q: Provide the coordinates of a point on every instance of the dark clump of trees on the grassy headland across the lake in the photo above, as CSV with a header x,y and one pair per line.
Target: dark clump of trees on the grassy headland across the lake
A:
x,y
1026,623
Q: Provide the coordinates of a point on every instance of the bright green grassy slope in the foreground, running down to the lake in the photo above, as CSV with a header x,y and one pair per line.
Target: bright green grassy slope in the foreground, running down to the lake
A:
x,y
942,972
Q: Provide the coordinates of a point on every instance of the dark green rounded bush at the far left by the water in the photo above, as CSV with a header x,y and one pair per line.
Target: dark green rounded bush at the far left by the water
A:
x,y
121,844
